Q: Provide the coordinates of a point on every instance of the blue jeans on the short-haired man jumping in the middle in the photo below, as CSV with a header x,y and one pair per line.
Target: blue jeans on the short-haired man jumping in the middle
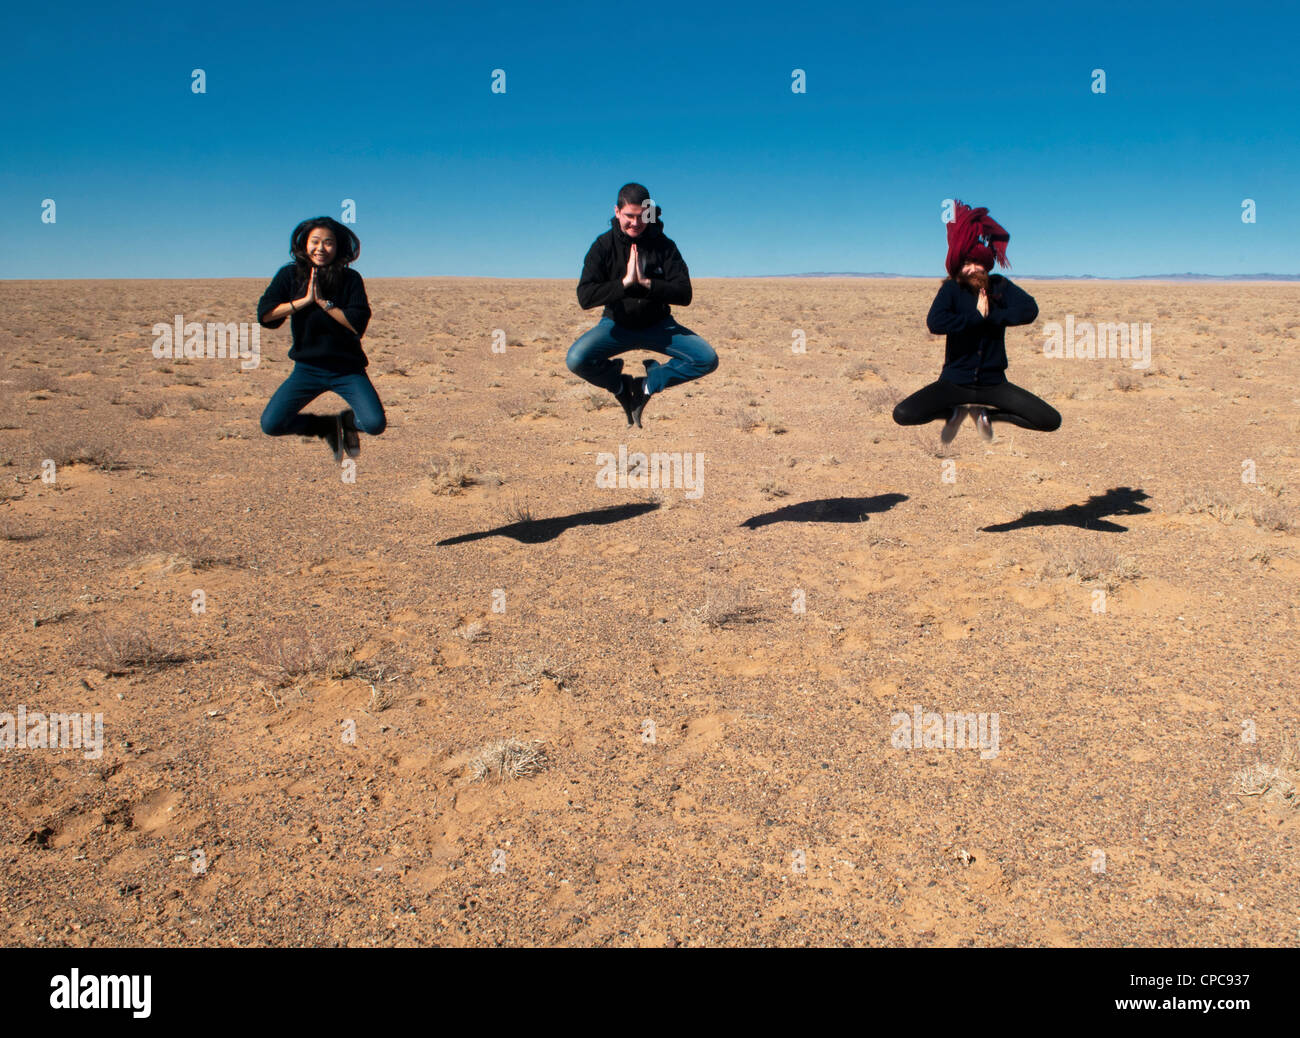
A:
x,y
592,356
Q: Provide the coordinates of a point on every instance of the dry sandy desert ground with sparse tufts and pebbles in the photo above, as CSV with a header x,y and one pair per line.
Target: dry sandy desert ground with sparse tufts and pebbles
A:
x,y
700,693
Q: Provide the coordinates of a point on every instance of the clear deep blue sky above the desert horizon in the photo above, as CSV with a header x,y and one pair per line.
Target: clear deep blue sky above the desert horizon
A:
x,y
391,105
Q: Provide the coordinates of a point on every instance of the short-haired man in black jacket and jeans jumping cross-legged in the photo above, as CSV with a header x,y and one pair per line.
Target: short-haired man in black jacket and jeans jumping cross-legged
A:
x,y
635,273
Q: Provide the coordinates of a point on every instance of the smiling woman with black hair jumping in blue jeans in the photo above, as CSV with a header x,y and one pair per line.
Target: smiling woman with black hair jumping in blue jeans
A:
x,y
324,300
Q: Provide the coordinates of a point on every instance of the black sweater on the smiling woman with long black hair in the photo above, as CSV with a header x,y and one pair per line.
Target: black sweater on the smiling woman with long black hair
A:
x,y
318,339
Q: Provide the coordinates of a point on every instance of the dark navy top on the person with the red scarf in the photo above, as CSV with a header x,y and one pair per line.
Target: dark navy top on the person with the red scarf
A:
x,y
977,345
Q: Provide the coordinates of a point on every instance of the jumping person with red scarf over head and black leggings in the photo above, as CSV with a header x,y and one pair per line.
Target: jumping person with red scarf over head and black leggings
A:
x,y
974,309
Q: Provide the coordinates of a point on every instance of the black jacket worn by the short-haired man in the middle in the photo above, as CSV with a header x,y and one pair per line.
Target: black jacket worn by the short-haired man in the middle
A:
x,y
635,306
